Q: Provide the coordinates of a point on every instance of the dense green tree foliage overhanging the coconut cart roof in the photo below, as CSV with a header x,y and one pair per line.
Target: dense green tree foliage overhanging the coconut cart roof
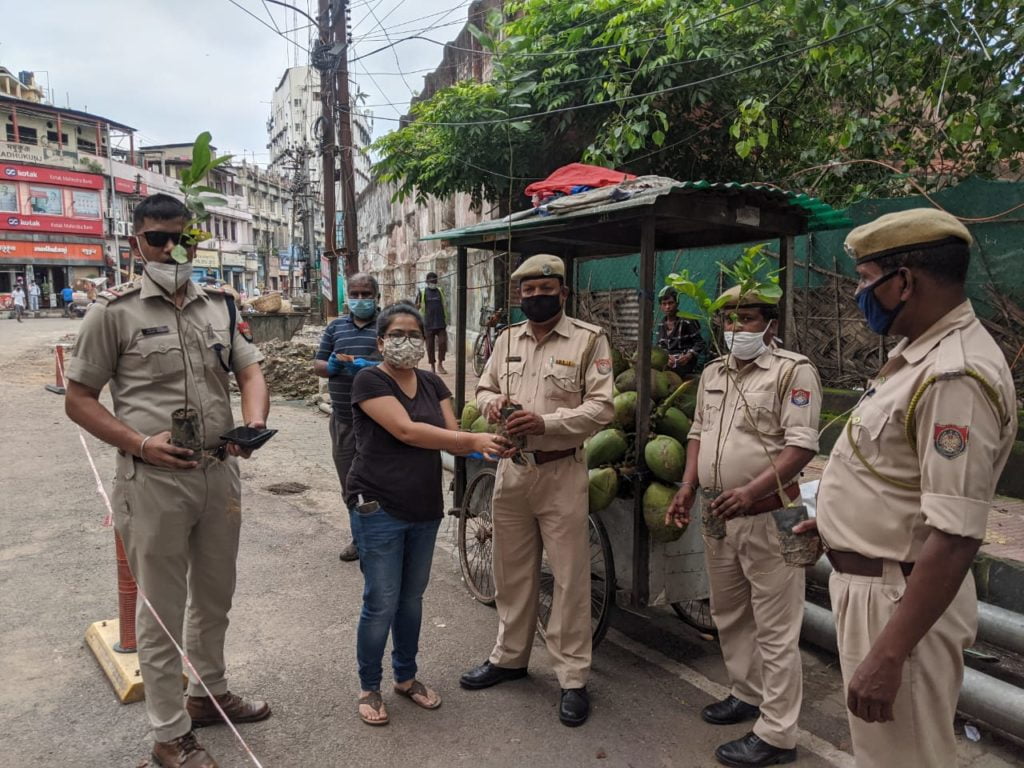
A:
x,y
784,91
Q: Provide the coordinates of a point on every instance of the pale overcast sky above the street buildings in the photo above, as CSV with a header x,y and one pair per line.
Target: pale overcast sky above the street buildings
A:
x,y
172,69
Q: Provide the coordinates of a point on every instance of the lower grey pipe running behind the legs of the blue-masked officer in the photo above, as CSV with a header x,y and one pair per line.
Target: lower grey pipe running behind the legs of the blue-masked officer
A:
x,y
985,699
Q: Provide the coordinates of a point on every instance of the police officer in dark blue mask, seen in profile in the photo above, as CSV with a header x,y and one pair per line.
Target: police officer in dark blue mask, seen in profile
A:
x,y
904,502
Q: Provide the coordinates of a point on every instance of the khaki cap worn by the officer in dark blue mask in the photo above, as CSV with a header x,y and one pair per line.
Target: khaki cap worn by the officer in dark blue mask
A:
x,y
903,232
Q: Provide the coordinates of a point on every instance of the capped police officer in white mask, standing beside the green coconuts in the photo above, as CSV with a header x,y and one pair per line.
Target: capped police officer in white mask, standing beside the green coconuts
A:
x,y
755,429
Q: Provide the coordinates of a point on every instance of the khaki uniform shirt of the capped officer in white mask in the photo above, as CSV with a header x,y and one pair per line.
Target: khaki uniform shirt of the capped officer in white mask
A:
x,y
744,416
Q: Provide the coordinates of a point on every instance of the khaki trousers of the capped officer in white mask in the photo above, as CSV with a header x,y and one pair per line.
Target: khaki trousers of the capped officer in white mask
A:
x,y
758,605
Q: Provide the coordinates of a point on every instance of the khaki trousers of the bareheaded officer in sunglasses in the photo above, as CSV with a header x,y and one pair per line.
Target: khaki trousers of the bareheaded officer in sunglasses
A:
x,y
181,531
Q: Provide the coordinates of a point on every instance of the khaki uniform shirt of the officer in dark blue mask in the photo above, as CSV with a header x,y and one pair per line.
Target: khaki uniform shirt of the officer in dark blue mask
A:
x,y
962,446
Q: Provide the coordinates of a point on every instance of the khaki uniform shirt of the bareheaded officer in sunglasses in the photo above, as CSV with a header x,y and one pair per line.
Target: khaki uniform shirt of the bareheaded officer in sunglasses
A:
x,y
130,339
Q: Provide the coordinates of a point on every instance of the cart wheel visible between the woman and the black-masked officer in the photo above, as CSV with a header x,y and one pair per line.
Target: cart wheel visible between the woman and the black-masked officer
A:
x,y
477,537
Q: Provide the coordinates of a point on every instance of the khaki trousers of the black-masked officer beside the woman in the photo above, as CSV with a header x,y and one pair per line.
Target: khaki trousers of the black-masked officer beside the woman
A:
x,y
537,506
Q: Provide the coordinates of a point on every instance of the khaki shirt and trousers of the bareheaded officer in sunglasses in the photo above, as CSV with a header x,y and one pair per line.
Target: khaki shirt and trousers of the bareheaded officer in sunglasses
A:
x,y
181,528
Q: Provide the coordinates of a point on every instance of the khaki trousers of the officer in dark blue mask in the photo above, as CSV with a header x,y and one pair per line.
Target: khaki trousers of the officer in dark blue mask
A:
x,y
922,732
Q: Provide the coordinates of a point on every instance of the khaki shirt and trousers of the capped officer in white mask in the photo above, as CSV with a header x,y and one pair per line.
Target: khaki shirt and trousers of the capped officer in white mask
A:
x,y
757,601
